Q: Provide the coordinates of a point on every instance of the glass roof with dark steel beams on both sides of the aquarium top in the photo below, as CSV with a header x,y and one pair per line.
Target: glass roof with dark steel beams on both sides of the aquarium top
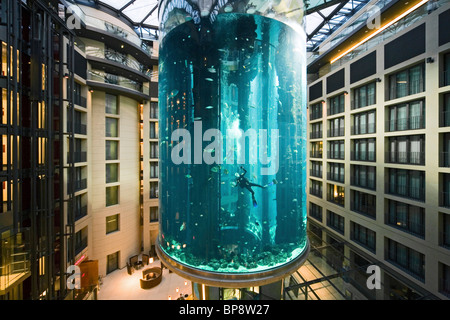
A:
x,y
322,19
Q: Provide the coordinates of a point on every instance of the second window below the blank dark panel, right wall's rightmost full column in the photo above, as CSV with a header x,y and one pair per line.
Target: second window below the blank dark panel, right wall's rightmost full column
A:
x,y
406,116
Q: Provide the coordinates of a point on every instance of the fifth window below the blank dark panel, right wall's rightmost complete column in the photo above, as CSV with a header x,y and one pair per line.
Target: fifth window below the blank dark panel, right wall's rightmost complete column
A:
x,y
406,217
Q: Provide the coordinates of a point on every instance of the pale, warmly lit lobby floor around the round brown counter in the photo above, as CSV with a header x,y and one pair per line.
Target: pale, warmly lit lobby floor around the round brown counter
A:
x,y
119,285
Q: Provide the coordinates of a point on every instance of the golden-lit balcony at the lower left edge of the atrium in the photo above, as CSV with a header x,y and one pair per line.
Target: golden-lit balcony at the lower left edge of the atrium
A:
x,y
15,262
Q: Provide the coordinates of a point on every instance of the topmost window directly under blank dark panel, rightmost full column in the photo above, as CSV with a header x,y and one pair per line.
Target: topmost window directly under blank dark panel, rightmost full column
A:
x,y
407,82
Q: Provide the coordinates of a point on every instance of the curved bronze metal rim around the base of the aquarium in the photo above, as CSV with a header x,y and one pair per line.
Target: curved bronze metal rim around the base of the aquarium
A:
x,y
232,280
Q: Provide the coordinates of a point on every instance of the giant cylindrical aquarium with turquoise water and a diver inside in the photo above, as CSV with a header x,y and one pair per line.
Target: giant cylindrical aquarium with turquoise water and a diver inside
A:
x,y
232,103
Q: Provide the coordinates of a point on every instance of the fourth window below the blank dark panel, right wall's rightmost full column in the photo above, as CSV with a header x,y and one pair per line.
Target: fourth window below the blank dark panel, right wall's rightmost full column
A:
x,y
406,183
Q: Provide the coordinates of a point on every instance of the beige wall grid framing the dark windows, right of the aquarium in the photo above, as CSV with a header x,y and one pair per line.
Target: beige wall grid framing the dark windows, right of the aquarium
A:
x,y
434,254
